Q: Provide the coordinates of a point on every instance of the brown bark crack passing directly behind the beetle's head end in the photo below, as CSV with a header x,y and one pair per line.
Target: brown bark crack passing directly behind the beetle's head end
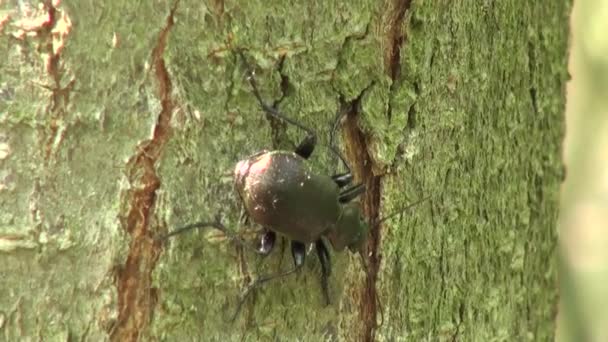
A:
x,y
361,162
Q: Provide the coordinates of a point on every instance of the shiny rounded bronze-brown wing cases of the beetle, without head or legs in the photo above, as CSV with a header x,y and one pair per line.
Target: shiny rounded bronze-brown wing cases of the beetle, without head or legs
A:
x,y
280,192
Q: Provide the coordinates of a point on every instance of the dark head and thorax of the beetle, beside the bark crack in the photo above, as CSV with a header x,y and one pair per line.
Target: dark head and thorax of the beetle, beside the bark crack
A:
x,y
351,229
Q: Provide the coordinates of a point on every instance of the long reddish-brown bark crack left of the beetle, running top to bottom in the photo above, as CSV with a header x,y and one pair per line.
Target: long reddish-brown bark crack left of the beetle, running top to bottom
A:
x,y
136,297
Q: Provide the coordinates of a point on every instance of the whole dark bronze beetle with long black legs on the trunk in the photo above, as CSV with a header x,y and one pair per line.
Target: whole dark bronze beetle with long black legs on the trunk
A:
x,y
281,192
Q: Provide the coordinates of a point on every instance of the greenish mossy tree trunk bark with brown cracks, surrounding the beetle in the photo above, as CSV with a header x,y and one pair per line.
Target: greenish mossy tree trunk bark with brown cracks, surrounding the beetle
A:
x,y
121,120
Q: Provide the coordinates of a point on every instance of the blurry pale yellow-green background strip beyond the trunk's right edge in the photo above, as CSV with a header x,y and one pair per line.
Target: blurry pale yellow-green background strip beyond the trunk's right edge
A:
x,y
584,213
